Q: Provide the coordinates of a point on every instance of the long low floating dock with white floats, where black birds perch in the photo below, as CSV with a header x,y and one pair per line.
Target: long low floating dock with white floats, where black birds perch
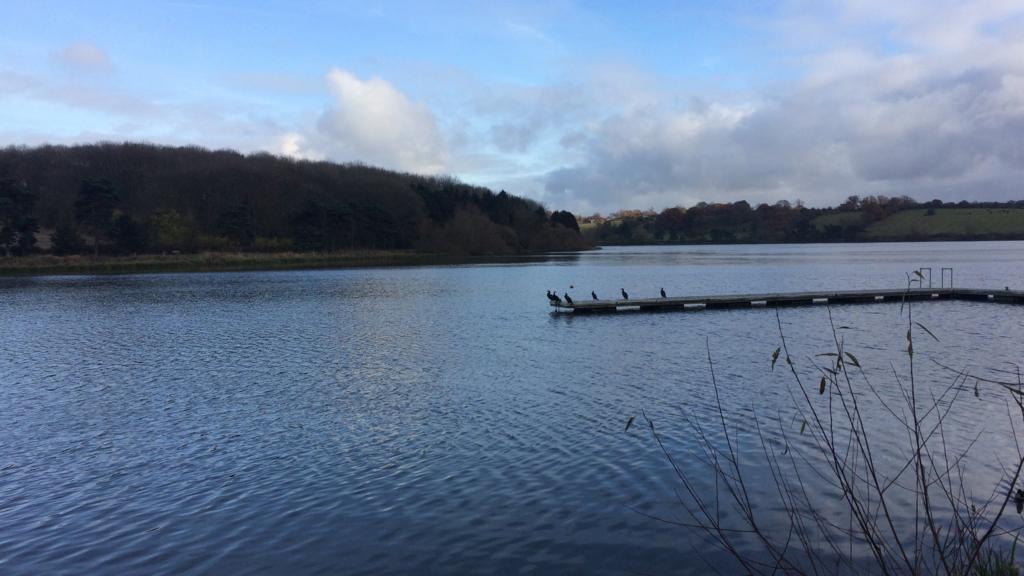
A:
x,y
790,300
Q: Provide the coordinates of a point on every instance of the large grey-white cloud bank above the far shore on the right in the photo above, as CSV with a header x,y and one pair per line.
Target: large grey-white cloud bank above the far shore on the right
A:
x,y
941,117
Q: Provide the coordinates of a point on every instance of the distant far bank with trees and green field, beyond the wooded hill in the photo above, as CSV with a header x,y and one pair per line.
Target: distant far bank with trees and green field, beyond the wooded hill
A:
x,y
857,220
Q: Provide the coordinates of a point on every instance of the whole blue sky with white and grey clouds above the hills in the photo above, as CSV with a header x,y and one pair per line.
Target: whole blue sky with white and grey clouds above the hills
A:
x,y
591,107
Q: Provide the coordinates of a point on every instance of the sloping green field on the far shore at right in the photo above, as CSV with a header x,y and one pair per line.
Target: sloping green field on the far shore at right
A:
x,y
950,223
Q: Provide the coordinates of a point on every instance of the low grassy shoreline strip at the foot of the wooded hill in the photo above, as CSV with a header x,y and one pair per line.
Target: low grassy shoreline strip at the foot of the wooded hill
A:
x,y
45,265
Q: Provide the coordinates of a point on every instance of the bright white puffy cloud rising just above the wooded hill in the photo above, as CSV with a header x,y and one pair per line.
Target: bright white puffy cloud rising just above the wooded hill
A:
x,y
372,122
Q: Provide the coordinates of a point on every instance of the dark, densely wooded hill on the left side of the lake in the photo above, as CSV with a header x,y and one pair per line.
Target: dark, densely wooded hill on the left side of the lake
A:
x,y
137,198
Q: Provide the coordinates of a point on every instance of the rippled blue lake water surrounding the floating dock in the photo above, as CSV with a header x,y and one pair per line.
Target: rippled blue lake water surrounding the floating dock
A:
x,y
420,420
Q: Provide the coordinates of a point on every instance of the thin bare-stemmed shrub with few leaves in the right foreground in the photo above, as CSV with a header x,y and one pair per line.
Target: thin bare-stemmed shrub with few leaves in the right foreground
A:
x,y
915,516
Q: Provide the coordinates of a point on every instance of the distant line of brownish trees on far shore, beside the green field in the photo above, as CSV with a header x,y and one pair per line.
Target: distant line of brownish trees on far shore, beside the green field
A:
x,y
741,223
